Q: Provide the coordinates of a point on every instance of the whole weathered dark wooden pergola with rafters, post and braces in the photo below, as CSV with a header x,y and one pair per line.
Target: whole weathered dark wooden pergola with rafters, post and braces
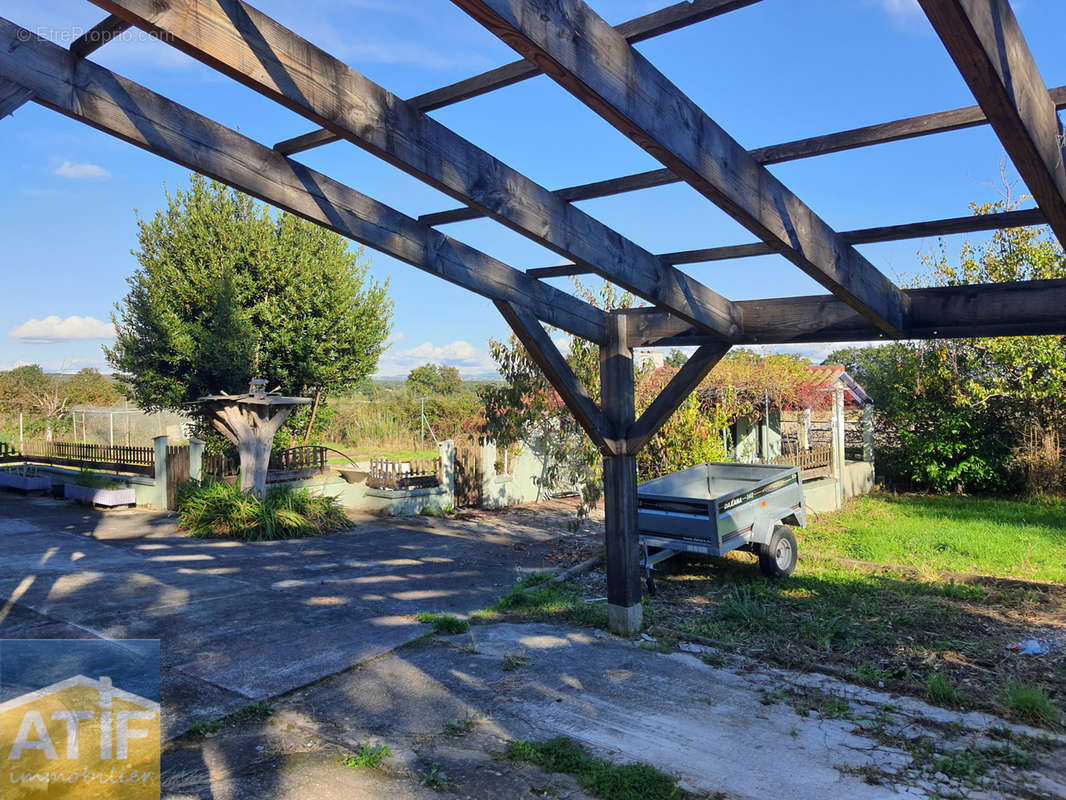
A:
x,y
597,65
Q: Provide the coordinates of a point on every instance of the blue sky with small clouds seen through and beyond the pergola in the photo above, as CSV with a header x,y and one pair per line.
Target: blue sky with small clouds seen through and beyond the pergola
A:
x,y
778,71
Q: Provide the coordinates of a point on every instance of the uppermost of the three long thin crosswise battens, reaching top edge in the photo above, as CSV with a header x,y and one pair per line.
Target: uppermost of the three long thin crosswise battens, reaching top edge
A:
x,y
656,24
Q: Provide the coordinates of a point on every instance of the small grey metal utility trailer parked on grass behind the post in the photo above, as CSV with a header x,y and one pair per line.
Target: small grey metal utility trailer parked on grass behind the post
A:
x,y
713,509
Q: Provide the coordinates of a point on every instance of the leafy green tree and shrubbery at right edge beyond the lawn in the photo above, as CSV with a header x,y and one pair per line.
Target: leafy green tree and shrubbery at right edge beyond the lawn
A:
x,y
974,414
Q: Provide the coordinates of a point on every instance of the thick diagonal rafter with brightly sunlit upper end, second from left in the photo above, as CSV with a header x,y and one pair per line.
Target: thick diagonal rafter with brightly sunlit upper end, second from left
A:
x,y
241,42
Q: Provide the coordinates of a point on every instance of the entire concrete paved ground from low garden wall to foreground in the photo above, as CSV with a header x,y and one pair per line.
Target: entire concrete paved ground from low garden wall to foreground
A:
x,y
288,621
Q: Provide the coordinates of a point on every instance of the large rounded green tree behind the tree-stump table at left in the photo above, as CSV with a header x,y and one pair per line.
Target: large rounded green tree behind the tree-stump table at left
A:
x,y
228,291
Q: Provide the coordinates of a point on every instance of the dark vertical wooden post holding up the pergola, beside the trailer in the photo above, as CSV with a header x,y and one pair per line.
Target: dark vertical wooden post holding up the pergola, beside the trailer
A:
x,y
625,613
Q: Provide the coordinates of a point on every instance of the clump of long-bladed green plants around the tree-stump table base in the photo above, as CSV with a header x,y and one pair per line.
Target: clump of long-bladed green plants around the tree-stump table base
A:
x,y
216,509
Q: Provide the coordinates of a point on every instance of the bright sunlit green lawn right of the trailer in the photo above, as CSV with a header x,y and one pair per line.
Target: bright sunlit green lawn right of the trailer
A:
x,y
968,535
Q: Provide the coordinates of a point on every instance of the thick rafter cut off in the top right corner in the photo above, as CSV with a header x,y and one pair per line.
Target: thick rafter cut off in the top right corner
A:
x,y
987,44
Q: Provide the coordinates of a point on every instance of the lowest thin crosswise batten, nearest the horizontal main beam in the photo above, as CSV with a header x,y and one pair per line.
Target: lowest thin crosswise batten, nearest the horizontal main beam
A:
x,y
865,236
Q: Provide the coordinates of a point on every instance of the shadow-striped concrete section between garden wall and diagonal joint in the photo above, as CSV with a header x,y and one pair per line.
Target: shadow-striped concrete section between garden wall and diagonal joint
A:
x,y
246,622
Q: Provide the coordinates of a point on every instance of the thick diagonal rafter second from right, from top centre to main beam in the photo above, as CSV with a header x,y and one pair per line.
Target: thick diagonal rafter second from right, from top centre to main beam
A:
x,y
586,56
